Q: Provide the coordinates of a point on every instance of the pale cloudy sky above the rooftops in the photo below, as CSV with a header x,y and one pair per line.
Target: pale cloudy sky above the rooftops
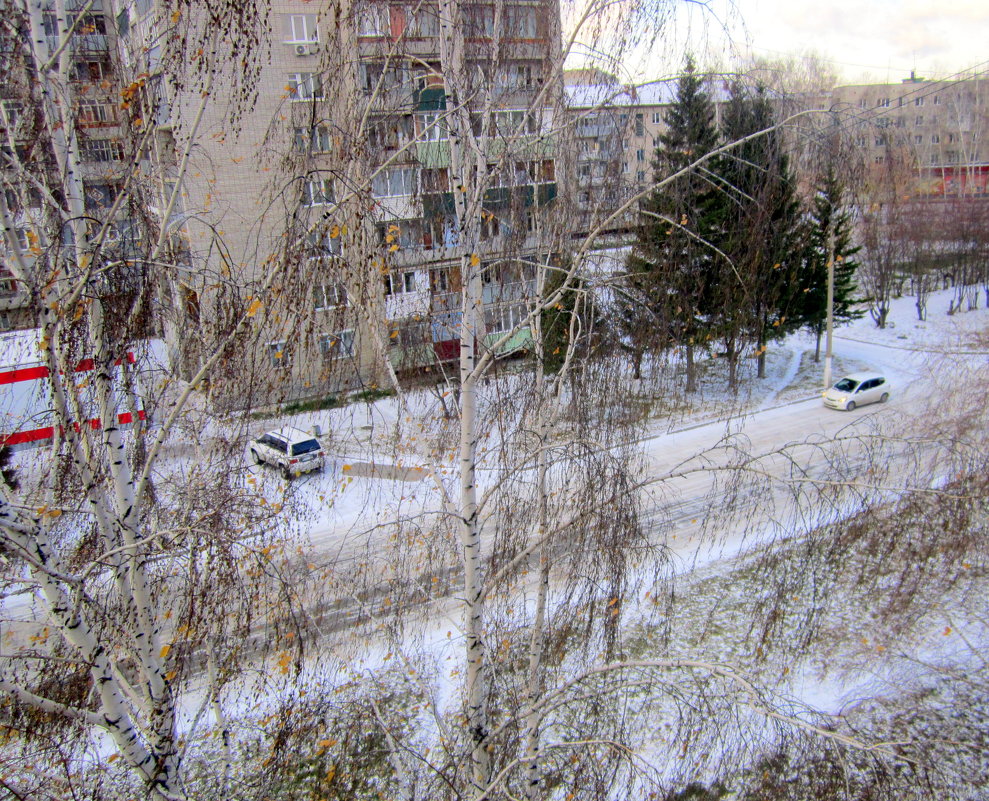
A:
x,y
864,40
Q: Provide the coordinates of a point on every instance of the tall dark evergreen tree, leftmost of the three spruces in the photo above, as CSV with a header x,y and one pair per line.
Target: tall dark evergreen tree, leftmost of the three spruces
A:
x,y
668,294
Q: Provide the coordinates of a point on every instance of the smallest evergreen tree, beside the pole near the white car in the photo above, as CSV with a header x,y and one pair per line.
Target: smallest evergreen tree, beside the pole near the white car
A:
x,y
830,227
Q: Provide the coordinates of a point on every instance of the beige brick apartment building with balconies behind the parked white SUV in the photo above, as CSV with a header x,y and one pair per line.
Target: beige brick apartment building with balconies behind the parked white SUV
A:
x,y
343,163
